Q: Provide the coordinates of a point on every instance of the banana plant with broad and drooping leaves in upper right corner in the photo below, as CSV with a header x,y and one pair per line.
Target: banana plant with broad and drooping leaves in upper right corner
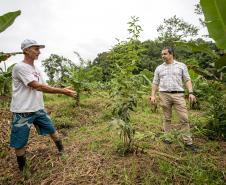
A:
x,y
215,20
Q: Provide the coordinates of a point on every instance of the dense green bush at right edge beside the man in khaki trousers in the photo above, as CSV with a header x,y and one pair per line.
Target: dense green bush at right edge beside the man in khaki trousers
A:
x,y
212,94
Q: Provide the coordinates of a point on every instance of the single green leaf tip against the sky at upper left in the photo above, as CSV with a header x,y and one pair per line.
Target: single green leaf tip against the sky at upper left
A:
x,y
7,19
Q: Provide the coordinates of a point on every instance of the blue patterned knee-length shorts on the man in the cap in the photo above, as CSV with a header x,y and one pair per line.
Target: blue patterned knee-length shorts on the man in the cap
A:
x,y
22,122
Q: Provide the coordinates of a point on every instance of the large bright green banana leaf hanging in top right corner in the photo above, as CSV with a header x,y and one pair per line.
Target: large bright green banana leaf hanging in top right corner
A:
x,y
215,20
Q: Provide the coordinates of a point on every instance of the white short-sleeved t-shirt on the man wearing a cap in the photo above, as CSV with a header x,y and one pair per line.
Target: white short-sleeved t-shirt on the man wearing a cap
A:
x,y
25,98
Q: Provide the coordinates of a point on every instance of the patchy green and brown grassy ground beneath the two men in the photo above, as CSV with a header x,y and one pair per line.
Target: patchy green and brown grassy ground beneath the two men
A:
x,y
91,150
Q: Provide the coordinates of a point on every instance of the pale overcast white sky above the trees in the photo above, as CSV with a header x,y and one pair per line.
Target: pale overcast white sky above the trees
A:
x,y
86,26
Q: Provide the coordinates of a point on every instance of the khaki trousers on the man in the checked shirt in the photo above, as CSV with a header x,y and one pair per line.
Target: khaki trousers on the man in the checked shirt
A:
x,y
177,100
